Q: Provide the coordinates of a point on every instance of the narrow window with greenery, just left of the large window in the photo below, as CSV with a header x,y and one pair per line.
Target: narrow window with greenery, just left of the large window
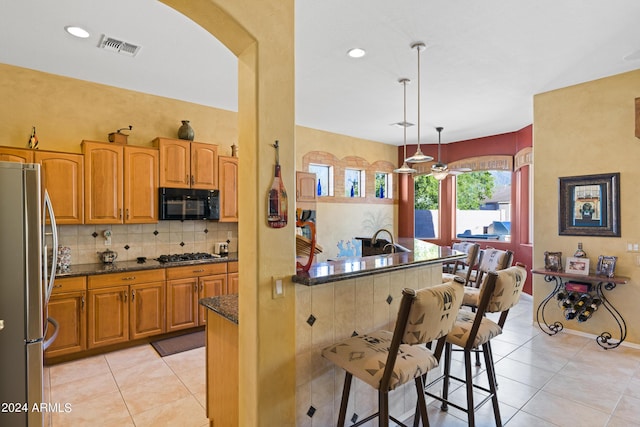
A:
x,y
426,199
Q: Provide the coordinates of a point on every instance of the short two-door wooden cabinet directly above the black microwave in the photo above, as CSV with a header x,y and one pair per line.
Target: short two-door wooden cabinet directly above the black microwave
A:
x,y
187,164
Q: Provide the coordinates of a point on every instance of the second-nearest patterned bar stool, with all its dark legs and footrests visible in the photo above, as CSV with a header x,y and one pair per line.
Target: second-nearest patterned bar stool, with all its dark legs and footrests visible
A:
x,y
500,292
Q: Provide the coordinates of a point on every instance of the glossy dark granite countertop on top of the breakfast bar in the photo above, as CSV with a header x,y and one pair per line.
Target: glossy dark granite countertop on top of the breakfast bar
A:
x,y
421,253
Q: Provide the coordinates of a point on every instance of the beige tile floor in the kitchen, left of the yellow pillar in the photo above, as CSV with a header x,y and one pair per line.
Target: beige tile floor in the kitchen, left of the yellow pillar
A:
x,y
132,387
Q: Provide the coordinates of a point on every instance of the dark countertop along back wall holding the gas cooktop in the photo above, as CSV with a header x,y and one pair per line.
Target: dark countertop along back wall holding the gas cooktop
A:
x,y
121,266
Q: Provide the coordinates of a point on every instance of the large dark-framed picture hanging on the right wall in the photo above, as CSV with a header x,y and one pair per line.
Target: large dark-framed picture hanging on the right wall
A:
x,y
589,205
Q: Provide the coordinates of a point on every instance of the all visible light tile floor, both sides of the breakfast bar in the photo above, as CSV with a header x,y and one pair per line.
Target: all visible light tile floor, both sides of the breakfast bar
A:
x,y
564,380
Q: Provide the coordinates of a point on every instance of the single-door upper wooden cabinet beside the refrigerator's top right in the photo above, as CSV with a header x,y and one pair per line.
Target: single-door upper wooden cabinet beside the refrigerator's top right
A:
x,y
63,178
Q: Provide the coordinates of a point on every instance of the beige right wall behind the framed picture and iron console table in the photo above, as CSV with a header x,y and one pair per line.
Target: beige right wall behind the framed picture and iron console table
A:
x,y
581,130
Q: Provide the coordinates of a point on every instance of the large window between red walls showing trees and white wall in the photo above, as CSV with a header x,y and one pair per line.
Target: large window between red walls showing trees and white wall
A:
x,y
483,205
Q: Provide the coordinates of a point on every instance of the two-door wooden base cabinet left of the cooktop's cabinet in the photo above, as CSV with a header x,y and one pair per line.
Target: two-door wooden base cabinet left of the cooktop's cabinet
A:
x,y
124,306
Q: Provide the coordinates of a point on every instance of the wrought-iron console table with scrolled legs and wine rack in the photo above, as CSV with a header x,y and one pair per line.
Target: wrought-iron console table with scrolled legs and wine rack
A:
x,y
604,340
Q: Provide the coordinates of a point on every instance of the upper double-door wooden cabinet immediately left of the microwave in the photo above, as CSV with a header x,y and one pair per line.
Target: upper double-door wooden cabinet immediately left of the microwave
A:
x,y
121,184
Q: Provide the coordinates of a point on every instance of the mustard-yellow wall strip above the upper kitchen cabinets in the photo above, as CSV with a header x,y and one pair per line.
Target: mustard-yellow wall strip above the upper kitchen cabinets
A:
x,y
65,111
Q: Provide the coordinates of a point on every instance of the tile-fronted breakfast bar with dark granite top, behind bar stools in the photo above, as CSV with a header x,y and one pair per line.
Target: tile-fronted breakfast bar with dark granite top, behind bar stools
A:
x,y
336,299
